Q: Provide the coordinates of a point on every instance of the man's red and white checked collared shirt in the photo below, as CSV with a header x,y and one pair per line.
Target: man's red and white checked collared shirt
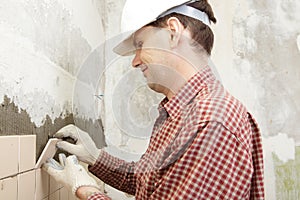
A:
x,y
204,145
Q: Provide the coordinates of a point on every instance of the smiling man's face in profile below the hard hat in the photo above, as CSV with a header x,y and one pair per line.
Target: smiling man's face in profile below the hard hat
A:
x,y
154,57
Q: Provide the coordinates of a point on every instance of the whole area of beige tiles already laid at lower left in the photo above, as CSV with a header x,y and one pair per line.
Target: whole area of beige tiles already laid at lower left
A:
x,y
18,178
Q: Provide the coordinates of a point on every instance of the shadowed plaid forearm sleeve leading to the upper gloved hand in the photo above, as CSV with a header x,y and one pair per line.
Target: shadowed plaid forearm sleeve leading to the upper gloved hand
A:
x,y
115,172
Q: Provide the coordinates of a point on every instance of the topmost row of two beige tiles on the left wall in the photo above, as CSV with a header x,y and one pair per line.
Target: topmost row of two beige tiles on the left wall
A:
x,y
17,155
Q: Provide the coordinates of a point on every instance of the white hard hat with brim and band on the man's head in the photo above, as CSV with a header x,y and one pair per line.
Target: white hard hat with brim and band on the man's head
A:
x,y
138,13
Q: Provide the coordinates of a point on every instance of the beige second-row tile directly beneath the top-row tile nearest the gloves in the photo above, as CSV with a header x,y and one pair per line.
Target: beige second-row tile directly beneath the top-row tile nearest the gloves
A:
x,y
26,185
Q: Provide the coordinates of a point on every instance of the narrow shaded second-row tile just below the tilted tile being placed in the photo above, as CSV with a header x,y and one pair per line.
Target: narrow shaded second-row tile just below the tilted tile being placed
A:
x,y
41,184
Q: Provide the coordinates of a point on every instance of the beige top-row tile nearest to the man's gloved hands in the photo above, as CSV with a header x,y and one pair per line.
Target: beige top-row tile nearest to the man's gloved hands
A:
x,y
27,155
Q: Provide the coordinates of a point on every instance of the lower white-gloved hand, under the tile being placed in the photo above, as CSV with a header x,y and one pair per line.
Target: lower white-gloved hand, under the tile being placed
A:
x,y
69,173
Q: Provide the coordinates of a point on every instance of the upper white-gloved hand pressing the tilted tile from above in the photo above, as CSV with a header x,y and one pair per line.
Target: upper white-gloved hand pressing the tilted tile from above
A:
x,y
85,148
